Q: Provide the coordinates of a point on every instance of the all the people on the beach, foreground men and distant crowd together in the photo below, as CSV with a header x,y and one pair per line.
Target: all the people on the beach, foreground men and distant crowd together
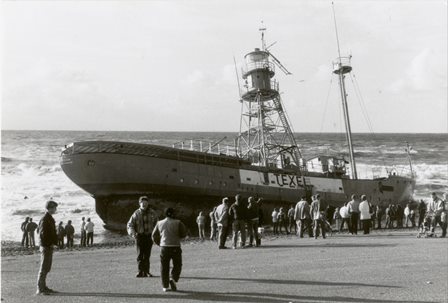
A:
x,y
243,218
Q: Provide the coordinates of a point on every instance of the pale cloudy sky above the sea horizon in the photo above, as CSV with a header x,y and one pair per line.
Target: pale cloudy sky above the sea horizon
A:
x,y
168,65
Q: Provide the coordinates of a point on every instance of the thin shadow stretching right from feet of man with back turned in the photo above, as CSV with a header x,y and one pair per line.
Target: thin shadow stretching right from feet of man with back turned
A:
x,y
292,282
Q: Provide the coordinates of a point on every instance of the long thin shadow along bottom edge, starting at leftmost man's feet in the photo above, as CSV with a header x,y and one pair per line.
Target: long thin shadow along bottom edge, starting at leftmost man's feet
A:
x,y
207,296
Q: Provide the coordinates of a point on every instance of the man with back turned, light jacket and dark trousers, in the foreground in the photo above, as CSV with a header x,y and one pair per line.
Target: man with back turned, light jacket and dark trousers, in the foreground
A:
x,y
167,234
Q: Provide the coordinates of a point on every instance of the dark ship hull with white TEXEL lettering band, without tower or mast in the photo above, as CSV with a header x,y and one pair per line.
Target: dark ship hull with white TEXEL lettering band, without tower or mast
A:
x,y
117,173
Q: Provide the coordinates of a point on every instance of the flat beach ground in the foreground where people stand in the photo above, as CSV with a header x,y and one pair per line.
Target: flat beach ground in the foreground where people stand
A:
x,y
386,266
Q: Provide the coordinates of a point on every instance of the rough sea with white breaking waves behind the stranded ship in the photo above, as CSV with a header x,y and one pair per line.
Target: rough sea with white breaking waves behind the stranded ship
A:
x,y
31,174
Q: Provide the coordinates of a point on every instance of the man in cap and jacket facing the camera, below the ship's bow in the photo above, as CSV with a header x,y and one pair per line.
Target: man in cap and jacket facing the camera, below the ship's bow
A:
x,y
140,227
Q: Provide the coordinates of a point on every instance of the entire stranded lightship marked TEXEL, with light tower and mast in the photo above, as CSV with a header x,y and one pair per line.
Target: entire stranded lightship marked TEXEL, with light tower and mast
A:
x,y
265,162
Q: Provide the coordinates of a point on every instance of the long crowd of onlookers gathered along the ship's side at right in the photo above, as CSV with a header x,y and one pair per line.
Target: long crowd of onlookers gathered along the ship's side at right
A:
x,y
318,217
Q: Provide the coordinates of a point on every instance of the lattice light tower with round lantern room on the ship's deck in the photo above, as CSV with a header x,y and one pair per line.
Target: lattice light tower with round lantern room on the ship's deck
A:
x,y
265,138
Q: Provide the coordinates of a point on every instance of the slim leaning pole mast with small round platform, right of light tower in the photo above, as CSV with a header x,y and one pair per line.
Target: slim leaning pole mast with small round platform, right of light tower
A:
x,y
340,67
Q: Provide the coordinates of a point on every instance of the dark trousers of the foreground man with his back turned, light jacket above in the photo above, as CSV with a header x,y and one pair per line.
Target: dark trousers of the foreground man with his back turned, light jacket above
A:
x,y
166,255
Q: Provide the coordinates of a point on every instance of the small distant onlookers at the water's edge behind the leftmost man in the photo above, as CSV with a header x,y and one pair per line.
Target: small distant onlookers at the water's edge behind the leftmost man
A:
x,y
67,232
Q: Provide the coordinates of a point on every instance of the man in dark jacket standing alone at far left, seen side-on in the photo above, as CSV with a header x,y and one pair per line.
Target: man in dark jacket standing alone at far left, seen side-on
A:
x,y
48,239
